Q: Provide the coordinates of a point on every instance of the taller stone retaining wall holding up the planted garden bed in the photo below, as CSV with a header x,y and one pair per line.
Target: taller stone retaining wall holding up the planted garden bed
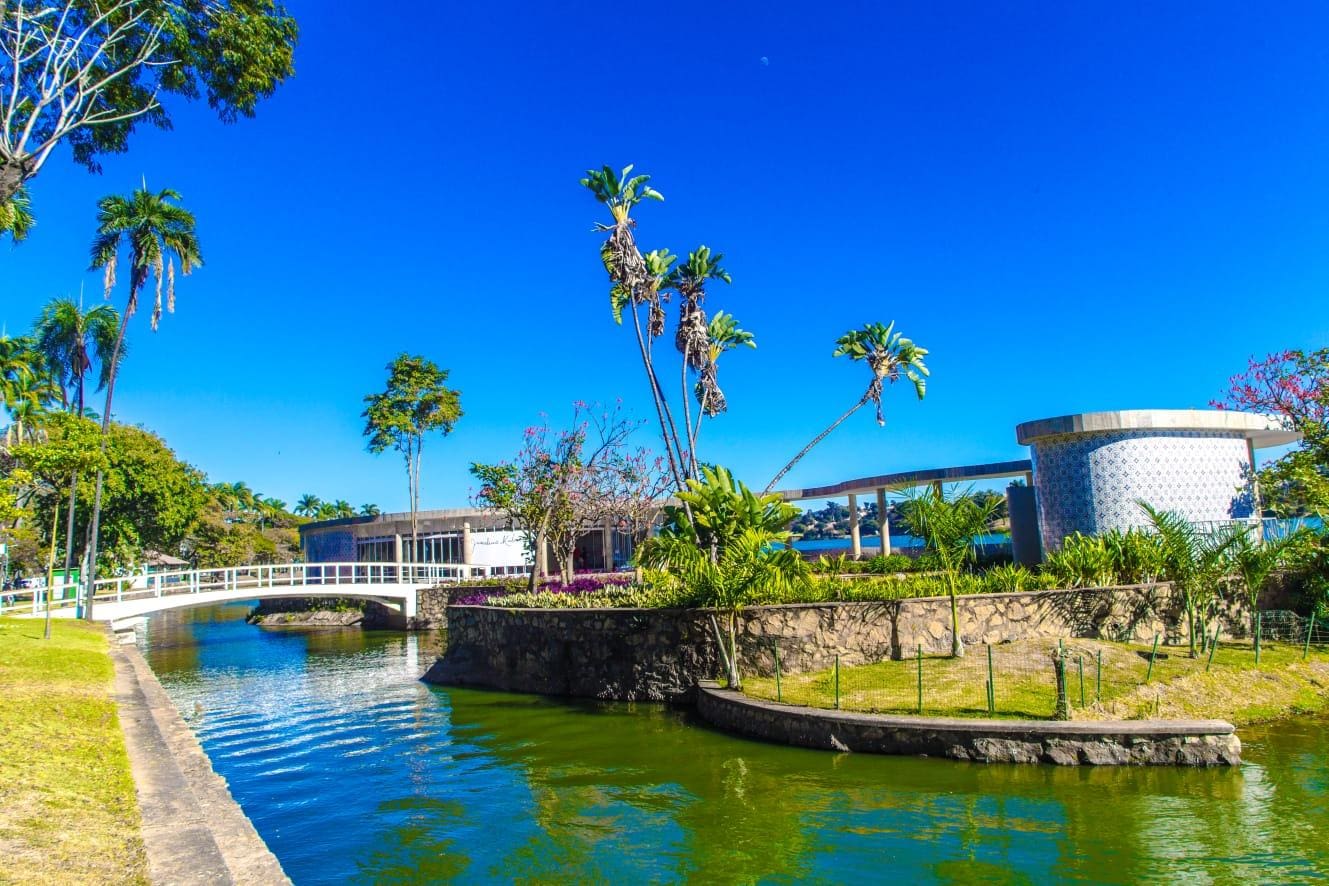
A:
x,y
663,654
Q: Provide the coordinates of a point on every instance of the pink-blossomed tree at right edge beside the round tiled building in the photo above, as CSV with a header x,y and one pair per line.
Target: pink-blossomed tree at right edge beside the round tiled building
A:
x,y
1295,386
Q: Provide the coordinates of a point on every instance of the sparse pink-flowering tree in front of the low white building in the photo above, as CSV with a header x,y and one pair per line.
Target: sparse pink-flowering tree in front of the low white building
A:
x,y
567,483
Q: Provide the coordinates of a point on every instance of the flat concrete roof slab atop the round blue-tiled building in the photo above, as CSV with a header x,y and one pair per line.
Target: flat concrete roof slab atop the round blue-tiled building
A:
x,y
1262,431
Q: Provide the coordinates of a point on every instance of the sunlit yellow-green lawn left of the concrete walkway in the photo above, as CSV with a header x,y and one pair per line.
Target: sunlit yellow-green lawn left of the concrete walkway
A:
x,y
67,798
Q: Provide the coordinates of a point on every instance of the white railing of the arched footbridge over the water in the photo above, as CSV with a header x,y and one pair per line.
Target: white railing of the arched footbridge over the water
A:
x,y
240,578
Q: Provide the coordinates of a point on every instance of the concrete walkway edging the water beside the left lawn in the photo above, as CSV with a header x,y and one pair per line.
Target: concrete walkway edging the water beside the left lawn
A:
x,y
195,832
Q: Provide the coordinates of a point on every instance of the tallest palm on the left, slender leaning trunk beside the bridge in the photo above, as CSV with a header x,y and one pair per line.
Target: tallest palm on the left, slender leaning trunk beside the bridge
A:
x,y
157,234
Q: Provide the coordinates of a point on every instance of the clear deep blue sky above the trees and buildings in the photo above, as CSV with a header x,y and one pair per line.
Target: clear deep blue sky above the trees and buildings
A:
x,y
1100,208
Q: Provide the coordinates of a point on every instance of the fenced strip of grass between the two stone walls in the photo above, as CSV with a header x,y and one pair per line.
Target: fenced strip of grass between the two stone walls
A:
x,y
1179,687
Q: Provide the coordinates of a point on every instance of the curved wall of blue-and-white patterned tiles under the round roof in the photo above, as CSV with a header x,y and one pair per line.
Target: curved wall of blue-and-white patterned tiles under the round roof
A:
x,y
1092,483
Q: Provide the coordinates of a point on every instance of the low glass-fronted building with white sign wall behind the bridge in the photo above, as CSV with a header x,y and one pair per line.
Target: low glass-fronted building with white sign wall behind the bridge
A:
x,y
462,536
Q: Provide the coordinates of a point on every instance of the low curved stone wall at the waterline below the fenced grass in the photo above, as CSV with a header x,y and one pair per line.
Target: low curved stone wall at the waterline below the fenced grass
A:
x,y
1190,743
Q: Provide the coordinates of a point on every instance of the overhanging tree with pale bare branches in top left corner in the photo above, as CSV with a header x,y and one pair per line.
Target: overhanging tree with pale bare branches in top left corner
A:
x,y
86,72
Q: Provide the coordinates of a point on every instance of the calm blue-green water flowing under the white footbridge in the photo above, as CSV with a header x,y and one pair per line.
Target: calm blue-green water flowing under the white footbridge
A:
x,y
354,771
